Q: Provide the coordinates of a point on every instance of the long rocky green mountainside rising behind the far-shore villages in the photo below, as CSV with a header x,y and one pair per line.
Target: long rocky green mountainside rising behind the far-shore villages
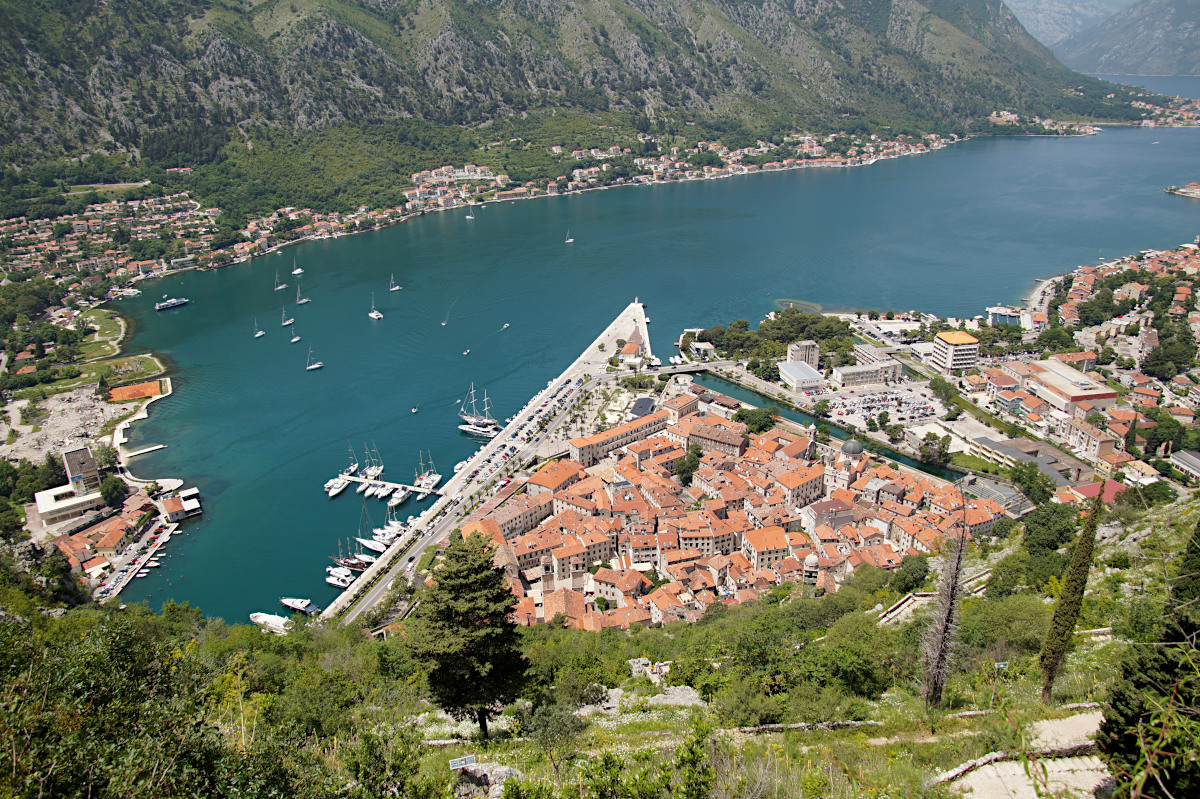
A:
x,y
175,80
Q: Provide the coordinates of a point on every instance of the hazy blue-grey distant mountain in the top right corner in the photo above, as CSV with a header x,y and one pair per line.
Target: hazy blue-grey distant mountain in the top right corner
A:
x,y
1149,38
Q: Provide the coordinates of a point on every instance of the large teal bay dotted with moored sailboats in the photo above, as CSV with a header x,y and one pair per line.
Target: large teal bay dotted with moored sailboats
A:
x,y
950,233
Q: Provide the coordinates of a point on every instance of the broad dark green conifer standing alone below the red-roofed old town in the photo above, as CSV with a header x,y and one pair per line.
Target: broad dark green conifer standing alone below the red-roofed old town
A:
x,y
463,633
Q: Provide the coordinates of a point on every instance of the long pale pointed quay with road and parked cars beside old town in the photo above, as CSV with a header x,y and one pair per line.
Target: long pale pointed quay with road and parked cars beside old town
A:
x,y
519,441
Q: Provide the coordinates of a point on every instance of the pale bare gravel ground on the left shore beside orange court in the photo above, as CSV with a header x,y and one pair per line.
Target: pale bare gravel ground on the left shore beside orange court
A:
x,y
73,419
